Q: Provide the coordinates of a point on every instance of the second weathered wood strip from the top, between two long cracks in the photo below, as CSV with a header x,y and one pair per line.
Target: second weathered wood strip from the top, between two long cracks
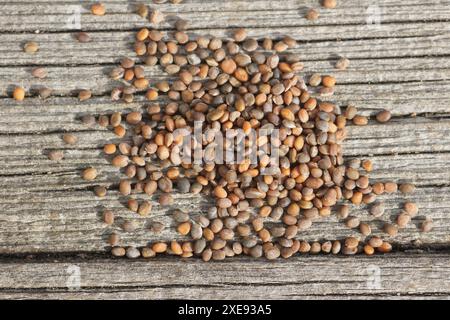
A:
x,y
431,39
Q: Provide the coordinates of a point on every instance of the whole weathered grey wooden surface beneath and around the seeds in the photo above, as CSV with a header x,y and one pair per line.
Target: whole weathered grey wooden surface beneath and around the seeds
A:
x,y
401,65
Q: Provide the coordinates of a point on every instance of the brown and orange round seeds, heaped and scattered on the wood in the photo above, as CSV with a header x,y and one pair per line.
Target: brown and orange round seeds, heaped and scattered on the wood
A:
x,y
240,86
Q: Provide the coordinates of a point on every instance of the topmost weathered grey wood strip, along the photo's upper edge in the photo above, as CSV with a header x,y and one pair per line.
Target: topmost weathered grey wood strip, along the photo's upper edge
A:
x,y
49,16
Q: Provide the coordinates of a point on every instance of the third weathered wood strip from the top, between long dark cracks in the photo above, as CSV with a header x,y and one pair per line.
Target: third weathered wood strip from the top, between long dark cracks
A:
x,y
68,80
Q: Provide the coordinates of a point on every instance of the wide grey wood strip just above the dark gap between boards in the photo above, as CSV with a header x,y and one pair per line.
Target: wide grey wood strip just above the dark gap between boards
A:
x,y
70,220
